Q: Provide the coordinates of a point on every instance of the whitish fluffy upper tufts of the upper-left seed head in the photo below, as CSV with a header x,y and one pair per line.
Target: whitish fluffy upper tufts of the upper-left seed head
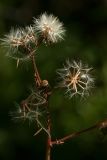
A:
x,y
19,37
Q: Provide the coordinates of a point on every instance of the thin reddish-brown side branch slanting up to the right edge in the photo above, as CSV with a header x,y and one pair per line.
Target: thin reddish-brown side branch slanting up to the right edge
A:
x,y
99,125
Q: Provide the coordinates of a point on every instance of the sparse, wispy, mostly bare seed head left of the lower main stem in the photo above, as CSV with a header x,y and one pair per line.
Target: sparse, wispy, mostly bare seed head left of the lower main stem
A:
x,y
33,110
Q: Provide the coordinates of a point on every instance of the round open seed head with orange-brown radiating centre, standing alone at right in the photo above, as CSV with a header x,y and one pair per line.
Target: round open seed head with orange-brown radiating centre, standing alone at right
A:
x,y
76,78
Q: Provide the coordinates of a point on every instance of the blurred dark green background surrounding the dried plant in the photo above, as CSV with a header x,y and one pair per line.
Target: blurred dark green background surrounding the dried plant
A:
x,y
86,39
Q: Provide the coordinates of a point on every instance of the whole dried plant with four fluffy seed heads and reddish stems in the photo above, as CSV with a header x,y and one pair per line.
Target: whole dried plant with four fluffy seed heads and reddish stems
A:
x,y
21,44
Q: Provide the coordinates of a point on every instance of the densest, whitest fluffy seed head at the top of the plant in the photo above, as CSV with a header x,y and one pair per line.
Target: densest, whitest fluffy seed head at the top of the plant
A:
x,y
49,27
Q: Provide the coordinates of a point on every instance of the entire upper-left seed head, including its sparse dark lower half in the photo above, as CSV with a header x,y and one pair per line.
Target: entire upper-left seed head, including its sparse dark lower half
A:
x,y
20,42
